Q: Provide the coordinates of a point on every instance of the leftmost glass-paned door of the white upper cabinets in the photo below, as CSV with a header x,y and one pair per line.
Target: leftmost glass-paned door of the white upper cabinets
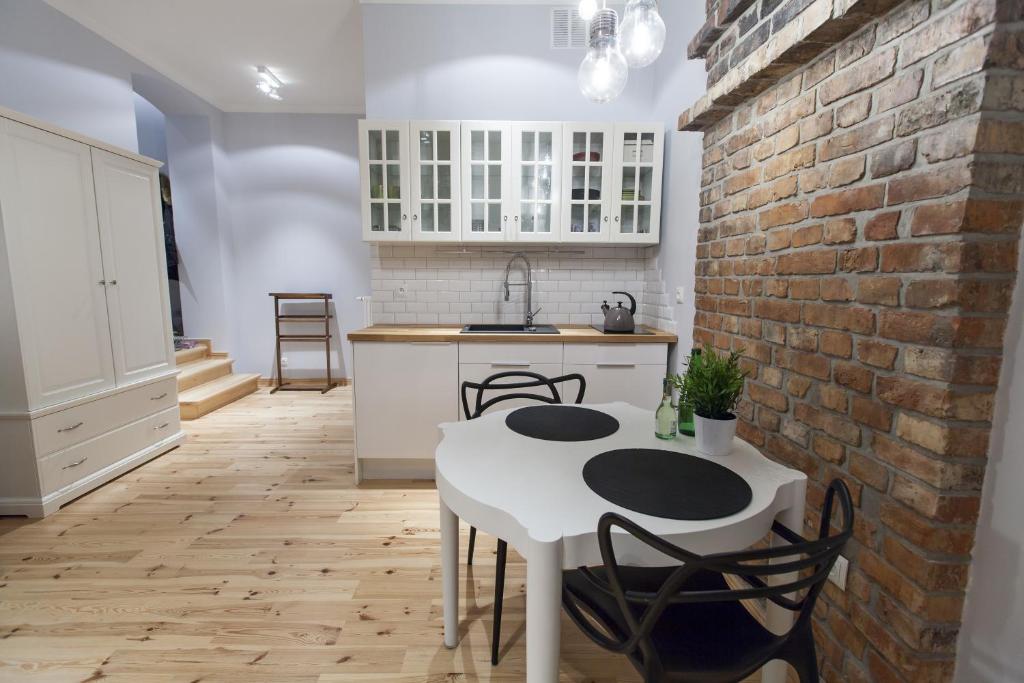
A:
x,y
385,181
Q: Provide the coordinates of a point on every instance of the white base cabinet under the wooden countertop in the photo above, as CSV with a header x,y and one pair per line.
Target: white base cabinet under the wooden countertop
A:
x,y
404,391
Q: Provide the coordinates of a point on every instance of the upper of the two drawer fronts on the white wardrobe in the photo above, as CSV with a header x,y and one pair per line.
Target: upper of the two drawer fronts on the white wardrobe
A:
x,y
61,431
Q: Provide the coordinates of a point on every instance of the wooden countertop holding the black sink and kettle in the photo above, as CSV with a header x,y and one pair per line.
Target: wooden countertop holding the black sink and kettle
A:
x,y
567,333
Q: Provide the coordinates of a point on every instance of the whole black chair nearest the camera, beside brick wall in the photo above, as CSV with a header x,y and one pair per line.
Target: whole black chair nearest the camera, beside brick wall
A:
x,y
687,623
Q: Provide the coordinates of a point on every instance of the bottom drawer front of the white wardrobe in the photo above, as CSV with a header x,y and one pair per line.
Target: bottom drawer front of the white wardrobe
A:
x,y
78,462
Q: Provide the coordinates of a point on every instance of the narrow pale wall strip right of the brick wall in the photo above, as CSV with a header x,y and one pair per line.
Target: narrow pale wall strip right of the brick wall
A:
x,y
993,633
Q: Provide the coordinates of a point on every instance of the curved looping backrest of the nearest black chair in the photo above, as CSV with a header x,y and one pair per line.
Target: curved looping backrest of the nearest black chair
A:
x,y
797,572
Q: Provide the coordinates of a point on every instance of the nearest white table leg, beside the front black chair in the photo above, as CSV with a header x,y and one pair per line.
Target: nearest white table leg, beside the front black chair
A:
x,y
544,610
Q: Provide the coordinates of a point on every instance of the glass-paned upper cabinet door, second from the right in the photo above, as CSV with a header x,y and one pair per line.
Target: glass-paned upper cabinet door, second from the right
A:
x,y
587,151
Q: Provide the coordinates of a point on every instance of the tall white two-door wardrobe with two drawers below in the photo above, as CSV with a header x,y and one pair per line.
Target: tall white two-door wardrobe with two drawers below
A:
x,y
88,376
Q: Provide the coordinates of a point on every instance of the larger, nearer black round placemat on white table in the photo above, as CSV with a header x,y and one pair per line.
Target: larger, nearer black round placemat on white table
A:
x,y
667,484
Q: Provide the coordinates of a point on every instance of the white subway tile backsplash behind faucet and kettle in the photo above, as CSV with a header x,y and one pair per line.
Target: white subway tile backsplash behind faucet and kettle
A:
x,y
442,284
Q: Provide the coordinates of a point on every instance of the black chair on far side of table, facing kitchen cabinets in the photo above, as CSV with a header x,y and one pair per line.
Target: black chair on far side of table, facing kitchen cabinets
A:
x,y
510,390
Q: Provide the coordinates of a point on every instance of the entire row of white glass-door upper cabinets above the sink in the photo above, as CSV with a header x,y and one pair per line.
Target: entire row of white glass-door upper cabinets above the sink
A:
x,y
502,182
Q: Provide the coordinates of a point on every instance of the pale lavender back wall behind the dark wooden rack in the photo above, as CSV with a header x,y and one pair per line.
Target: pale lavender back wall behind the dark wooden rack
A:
x,y
293,188
